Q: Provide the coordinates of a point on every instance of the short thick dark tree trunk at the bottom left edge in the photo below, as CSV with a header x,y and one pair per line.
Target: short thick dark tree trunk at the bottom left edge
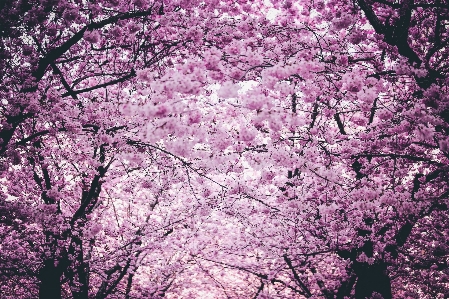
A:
x,y
50,277
